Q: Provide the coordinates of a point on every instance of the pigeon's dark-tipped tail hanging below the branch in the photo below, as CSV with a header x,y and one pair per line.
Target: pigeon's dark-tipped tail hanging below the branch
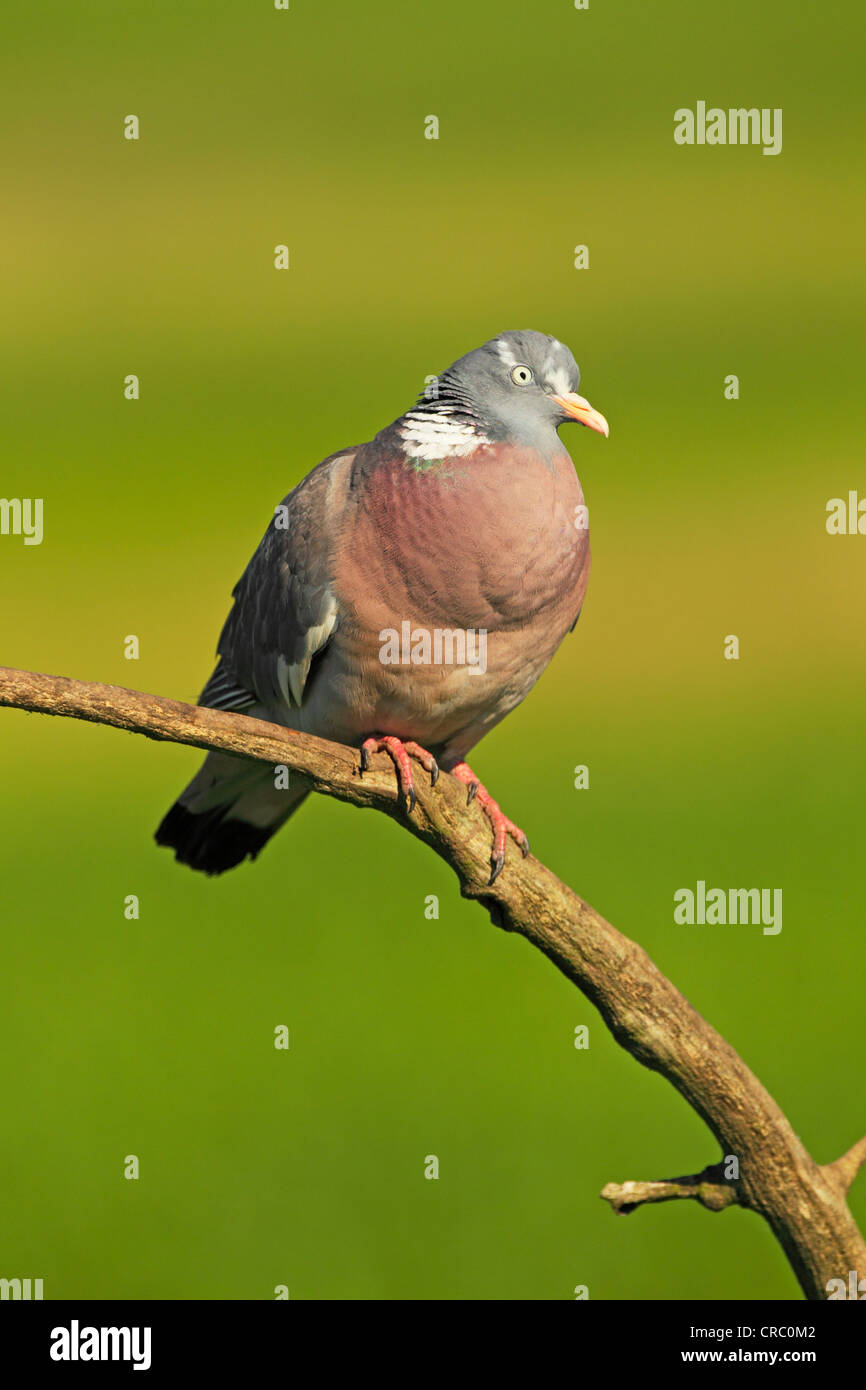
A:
x,y
230,811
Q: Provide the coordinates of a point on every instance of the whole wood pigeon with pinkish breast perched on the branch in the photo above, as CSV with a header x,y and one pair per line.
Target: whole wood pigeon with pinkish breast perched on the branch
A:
x,y
407,596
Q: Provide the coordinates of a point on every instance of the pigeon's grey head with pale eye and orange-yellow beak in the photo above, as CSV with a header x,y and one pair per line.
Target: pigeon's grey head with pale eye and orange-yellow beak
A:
x,y
521,386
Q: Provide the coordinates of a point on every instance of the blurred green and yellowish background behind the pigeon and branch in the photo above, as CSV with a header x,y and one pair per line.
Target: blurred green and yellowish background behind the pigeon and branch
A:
x,y
414,1038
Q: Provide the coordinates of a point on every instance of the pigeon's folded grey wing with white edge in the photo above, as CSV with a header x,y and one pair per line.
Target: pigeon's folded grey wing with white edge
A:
x,y
286,608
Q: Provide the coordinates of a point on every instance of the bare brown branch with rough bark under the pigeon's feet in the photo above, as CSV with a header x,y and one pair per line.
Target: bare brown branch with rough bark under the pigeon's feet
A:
x,y
803,1202
